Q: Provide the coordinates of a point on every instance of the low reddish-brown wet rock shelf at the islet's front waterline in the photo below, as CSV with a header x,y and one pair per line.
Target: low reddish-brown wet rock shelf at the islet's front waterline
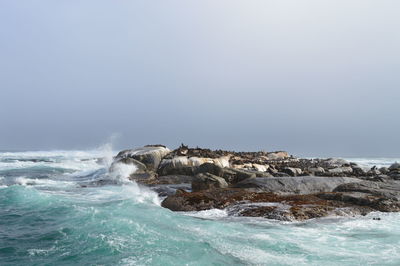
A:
x,y
268,205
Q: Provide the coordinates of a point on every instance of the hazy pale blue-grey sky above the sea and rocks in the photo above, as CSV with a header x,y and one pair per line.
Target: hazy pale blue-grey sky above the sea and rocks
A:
x,y
313,77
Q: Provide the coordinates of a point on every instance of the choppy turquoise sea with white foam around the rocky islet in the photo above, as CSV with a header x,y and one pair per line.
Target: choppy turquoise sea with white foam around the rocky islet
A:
x,y
52,213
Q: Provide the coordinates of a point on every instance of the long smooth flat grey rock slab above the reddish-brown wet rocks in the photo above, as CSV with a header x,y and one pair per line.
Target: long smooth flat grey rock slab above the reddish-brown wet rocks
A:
x,y
294,185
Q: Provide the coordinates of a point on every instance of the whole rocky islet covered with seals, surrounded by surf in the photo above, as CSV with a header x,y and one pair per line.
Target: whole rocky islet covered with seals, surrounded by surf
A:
x,y
273,185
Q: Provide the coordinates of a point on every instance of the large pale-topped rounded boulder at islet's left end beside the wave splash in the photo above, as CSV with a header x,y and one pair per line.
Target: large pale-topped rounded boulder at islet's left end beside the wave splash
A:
x,y
151,156
